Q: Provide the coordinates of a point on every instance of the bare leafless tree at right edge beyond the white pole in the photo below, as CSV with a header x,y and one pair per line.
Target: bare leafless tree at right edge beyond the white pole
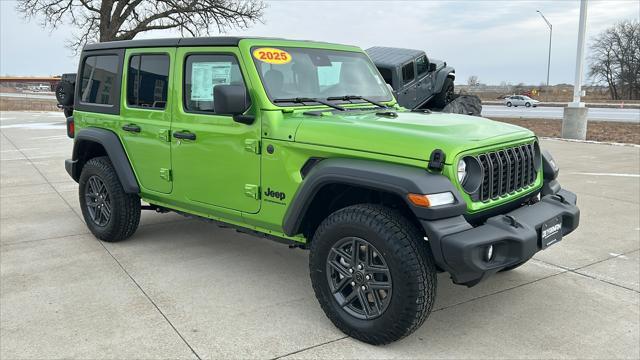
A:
x,y
615,60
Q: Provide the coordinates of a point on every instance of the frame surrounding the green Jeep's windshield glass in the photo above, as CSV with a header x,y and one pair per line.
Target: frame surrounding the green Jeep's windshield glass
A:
x,y
389,95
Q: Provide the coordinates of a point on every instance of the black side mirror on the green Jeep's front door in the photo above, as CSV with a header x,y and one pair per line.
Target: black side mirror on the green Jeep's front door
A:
x,y
232,100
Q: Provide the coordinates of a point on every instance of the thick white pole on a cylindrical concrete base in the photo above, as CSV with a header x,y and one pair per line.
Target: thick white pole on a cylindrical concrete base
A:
x,y
574,119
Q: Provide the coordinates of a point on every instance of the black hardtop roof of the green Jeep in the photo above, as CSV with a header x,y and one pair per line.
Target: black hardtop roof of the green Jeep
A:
x,y
172,42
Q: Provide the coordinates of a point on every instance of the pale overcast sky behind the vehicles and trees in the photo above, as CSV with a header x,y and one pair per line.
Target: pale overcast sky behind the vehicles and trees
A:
x,y
495,40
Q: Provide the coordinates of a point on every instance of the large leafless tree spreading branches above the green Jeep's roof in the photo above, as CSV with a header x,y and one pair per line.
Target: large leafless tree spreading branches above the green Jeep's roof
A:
x,y
112,20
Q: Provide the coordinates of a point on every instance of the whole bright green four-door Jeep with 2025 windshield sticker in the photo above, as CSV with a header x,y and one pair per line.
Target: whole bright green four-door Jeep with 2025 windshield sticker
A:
x,y
303,142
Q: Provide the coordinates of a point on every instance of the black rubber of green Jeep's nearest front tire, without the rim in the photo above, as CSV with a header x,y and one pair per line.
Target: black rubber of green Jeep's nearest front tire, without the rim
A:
x,y
410,264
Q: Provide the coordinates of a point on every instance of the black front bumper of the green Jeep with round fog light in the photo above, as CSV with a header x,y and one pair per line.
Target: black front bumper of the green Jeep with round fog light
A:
x,y
459,247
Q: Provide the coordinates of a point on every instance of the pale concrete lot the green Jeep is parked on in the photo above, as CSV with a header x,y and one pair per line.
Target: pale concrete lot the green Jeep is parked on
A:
x,y
184,288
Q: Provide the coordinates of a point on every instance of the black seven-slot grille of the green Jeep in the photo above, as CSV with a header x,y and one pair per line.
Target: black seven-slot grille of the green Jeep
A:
x,y
506,171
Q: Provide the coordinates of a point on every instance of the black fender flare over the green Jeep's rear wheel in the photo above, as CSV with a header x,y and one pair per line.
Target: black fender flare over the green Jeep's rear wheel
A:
x,y
112,145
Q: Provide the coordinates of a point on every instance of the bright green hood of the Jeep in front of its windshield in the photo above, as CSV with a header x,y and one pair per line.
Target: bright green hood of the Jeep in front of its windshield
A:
x,y
410,135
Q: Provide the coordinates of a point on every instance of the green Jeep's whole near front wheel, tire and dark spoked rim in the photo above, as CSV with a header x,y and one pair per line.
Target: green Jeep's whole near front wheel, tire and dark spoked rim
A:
x,y
372,273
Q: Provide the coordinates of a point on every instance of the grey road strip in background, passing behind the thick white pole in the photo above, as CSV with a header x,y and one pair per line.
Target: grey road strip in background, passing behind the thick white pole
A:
x,y
595,114
